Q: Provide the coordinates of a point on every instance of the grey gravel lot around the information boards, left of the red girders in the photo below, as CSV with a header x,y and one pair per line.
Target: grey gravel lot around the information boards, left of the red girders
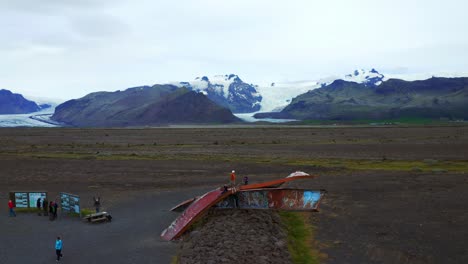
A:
x,y
132,237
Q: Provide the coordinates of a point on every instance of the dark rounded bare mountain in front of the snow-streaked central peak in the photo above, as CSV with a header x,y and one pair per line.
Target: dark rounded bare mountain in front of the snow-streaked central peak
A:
x,y
142,106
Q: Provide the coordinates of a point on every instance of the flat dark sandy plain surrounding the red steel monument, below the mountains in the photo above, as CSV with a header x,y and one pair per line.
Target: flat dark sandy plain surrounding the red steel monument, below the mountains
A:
x,y
395,194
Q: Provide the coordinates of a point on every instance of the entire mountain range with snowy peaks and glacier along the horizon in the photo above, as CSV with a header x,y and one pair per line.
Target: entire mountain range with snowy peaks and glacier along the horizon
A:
x,y
359,95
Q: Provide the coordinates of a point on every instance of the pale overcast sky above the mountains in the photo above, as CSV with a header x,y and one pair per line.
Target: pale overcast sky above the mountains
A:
x,y
68,48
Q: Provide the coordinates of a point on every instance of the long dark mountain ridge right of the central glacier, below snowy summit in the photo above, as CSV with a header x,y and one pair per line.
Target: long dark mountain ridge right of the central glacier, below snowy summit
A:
x,y
342,100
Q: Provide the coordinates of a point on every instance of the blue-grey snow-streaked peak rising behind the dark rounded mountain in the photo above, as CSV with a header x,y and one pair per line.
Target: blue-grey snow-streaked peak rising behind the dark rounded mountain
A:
x,y
227,90
